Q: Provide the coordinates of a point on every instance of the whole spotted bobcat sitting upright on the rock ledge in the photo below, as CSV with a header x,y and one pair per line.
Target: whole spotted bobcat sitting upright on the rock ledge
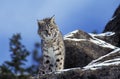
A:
x,y
53,49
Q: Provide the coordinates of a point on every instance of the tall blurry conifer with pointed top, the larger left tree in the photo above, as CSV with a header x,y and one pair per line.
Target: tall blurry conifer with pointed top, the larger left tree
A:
x,y
19,54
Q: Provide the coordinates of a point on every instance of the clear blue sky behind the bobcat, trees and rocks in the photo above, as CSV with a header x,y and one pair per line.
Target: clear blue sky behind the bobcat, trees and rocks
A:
x,y
20,16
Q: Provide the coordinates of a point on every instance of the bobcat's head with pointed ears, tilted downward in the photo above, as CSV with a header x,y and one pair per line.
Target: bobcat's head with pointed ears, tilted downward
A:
x,y
47,28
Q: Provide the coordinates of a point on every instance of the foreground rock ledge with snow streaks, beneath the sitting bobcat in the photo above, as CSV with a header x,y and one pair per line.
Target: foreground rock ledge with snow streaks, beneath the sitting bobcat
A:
x,y
107,69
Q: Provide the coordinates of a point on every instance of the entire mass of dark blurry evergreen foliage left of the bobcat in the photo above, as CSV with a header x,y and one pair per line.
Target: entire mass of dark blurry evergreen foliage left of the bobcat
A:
x,y
15,69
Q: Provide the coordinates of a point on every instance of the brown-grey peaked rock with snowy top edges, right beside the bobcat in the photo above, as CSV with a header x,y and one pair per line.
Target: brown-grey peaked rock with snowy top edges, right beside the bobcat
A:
x,y
81,51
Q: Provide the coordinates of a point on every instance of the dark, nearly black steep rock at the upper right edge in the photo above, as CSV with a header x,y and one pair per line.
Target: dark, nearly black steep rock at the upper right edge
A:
x,y
114,26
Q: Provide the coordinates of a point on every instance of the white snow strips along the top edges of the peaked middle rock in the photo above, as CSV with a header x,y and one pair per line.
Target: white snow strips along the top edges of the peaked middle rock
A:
x,y
93,39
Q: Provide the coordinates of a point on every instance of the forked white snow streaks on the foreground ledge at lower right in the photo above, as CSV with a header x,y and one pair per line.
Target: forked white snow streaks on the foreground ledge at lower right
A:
x,y
95,64
